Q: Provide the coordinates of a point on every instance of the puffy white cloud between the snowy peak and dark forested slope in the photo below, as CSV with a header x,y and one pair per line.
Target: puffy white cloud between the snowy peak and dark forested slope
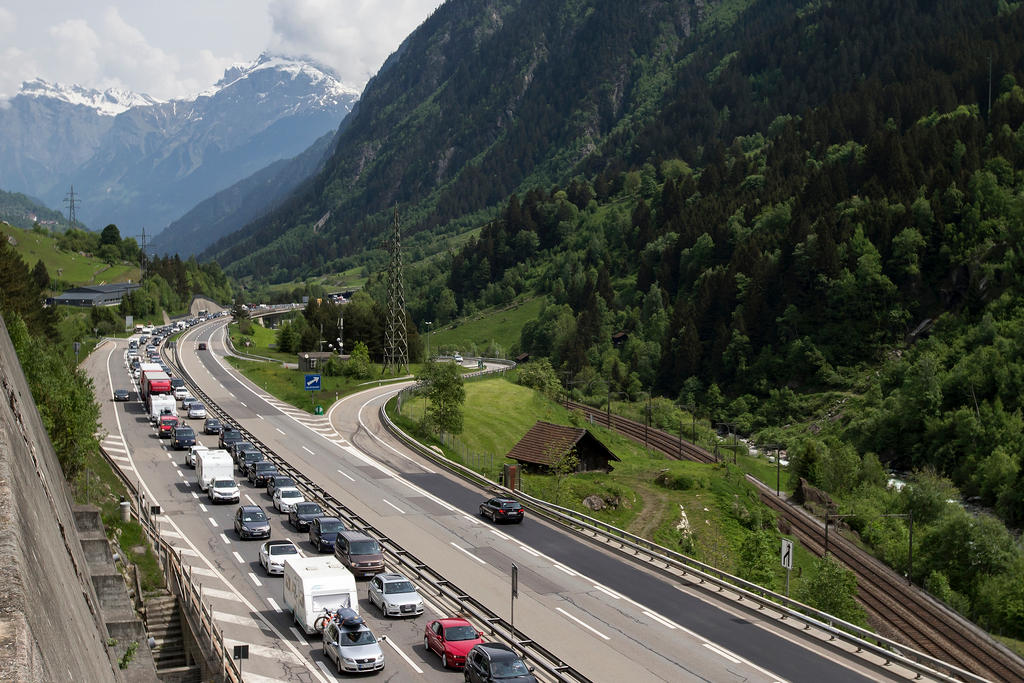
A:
x,y
352,36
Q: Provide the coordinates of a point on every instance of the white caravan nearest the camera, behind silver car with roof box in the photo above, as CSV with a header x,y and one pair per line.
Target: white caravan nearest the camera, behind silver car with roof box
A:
x,y
315,584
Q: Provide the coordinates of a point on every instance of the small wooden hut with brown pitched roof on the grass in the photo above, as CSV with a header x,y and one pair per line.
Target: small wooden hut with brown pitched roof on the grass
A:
x,y
546,444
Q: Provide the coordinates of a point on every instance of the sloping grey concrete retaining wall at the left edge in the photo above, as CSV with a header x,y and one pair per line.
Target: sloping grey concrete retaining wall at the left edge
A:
x,y
51,624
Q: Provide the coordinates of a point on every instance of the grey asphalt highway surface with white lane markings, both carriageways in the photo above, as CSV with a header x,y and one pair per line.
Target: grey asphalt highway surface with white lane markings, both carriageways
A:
x,y
609,618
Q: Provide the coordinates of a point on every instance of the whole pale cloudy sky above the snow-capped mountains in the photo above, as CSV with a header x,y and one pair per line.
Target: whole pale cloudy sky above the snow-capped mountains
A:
x,y
178,49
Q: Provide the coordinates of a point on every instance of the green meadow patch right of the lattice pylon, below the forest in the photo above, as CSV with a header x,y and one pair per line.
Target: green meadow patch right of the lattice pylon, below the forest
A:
x,y
492,330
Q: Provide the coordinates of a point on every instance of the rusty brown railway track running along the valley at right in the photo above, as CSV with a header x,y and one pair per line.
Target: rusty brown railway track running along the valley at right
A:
x,y
915,618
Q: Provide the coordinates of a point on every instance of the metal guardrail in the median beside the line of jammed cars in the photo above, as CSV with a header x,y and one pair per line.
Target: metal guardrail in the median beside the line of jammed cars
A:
x,y
440,587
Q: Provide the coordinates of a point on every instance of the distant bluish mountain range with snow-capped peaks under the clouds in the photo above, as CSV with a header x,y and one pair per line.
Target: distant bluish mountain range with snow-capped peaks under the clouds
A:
x,y
139,162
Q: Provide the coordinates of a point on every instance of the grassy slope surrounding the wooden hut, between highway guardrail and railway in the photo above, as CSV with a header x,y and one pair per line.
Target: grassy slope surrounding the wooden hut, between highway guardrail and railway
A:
x,y
716,499
